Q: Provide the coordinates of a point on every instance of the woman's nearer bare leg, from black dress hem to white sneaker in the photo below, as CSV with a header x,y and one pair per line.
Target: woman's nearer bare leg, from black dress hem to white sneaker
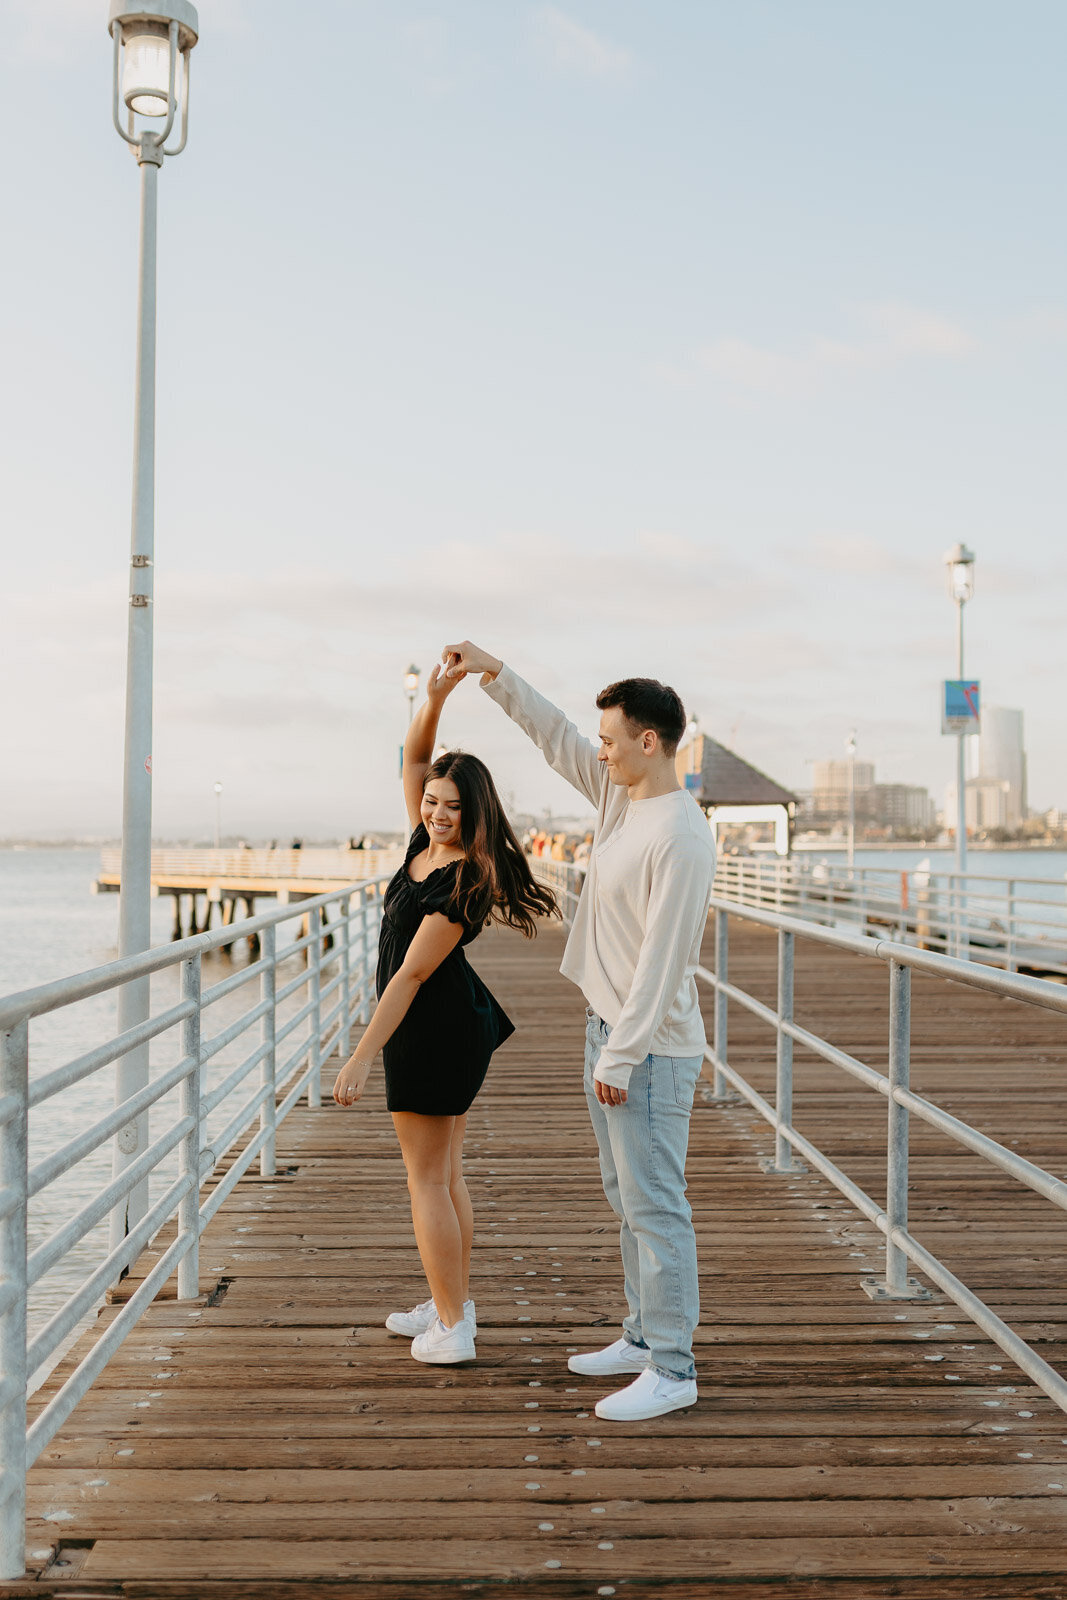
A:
x,y
426,1150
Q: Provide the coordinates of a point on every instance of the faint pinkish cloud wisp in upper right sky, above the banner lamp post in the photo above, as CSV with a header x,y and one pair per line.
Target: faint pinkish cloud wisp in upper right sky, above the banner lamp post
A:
x,y
890,335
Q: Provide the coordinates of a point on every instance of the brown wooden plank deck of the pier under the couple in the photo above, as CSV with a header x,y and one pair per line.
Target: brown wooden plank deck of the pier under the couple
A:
x,y
276,1442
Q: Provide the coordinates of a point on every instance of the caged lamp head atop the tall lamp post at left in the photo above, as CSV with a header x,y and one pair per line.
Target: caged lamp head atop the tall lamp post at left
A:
x,y
151,41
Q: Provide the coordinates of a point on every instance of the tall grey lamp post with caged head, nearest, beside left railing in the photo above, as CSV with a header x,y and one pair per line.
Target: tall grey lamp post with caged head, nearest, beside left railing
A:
x,y
151,81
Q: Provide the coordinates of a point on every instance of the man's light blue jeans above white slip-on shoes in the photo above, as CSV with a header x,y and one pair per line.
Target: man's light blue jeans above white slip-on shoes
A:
x,y
642,1162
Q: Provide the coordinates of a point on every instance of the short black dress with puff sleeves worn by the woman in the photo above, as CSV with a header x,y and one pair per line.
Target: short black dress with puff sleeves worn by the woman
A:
x,y
438,1060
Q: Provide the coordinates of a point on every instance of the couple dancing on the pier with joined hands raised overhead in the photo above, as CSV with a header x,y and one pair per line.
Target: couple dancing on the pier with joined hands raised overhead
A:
x,y
633,951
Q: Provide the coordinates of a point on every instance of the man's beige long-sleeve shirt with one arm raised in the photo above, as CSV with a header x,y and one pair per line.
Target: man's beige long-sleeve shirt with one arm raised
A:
x,y
637,932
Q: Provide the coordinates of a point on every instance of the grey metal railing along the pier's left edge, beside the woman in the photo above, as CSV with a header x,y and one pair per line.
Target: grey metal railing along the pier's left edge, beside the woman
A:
x,y
332,986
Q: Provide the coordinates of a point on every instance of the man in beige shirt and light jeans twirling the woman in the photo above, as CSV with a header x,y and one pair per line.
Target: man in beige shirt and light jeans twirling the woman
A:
x,y
633,953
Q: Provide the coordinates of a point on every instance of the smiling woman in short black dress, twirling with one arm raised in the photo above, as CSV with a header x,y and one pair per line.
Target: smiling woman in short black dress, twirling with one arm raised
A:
x,y
436,1022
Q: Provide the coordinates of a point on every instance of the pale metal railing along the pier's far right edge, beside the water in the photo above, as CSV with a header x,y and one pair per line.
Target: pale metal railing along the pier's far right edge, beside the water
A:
x,y
1018,924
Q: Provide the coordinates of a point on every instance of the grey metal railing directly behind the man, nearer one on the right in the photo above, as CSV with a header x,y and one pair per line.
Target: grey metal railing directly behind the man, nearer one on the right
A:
x,y
892,1220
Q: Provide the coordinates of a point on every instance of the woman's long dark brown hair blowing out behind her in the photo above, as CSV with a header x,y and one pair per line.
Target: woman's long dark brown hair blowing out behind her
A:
x,y
495,882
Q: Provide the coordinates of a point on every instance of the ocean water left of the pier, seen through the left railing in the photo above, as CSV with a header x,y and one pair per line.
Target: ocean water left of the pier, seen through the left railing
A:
x,y
52,926
